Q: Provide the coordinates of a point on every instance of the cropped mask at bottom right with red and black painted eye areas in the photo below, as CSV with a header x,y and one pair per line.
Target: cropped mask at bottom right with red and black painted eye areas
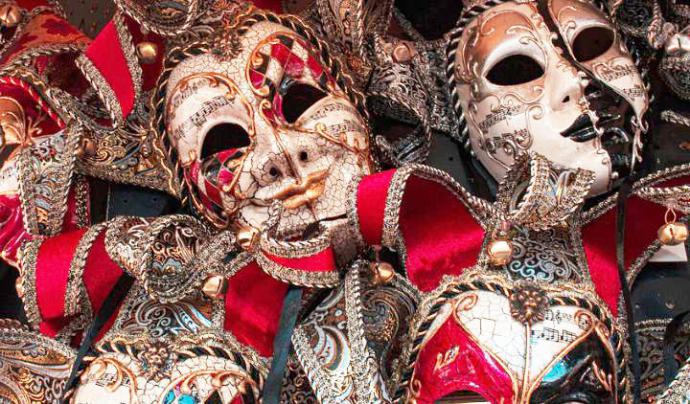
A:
x,y
517,345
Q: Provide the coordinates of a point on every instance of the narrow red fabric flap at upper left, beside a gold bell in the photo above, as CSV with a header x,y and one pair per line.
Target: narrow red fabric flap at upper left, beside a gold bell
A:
x,y
105,52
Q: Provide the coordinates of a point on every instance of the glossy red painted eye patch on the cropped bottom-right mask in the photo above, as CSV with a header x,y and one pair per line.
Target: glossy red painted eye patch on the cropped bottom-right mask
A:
x,y
473,369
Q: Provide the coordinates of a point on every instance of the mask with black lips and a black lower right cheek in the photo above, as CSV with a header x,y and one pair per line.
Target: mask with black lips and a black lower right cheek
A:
x,y
556,80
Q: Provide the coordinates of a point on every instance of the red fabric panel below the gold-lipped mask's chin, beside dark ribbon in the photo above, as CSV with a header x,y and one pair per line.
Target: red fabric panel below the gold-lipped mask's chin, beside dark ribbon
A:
x,y
253,303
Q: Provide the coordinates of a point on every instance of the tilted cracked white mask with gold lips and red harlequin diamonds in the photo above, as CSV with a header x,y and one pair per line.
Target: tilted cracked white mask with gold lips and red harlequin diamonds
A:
x,y
269,123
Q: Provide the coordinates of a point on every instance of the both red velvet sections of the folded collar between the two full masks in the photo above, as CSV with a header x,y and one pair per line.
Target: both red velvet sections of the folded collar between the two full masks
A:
x,y
440,235
